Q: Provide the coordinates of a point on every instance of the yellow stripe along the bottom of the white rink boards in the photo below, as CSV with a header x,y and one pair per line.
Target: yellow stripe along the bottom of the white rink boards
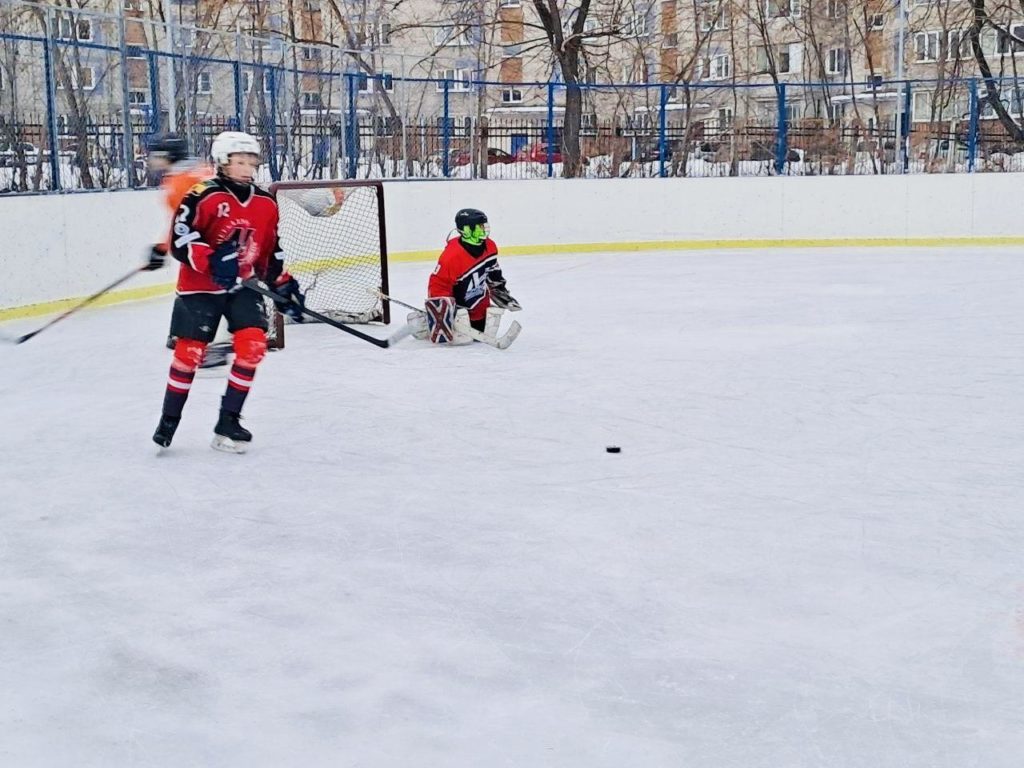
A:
x,y
136,294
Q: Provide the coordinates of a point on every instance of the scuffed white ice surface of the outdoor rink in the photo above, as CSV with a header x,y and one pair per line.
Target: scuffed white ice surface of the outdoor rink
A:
x,y
810,552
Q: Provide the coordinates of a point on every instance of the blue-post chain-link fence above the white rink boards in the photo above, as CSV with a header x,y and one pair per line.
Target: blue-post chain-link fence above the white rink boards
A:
x,y
81,93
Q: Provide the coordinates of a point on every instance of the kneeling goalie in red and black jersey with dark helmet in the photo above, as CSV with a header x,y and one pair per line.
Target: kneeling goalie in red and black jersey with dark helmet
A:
x,y
467,287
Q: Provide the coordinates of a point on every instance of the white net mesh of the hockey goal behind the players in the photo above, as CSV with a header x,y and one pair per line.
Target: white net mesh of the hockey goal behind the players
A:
x,y
331,234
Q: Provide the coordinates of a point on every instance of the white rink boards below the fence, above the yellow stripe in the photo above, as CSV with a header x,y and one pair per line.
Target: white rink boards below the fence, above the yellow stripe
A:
x,y
65,246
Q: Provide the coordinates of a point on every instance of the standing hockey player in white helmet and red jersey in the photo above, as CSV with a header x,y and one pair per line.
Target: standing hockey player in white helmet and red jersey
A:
x,y
226,231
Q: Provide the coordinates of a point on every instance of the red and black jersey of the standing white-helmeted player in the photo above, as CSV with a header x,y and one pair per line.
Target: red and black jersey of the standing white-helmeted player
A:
x,y
212,212
